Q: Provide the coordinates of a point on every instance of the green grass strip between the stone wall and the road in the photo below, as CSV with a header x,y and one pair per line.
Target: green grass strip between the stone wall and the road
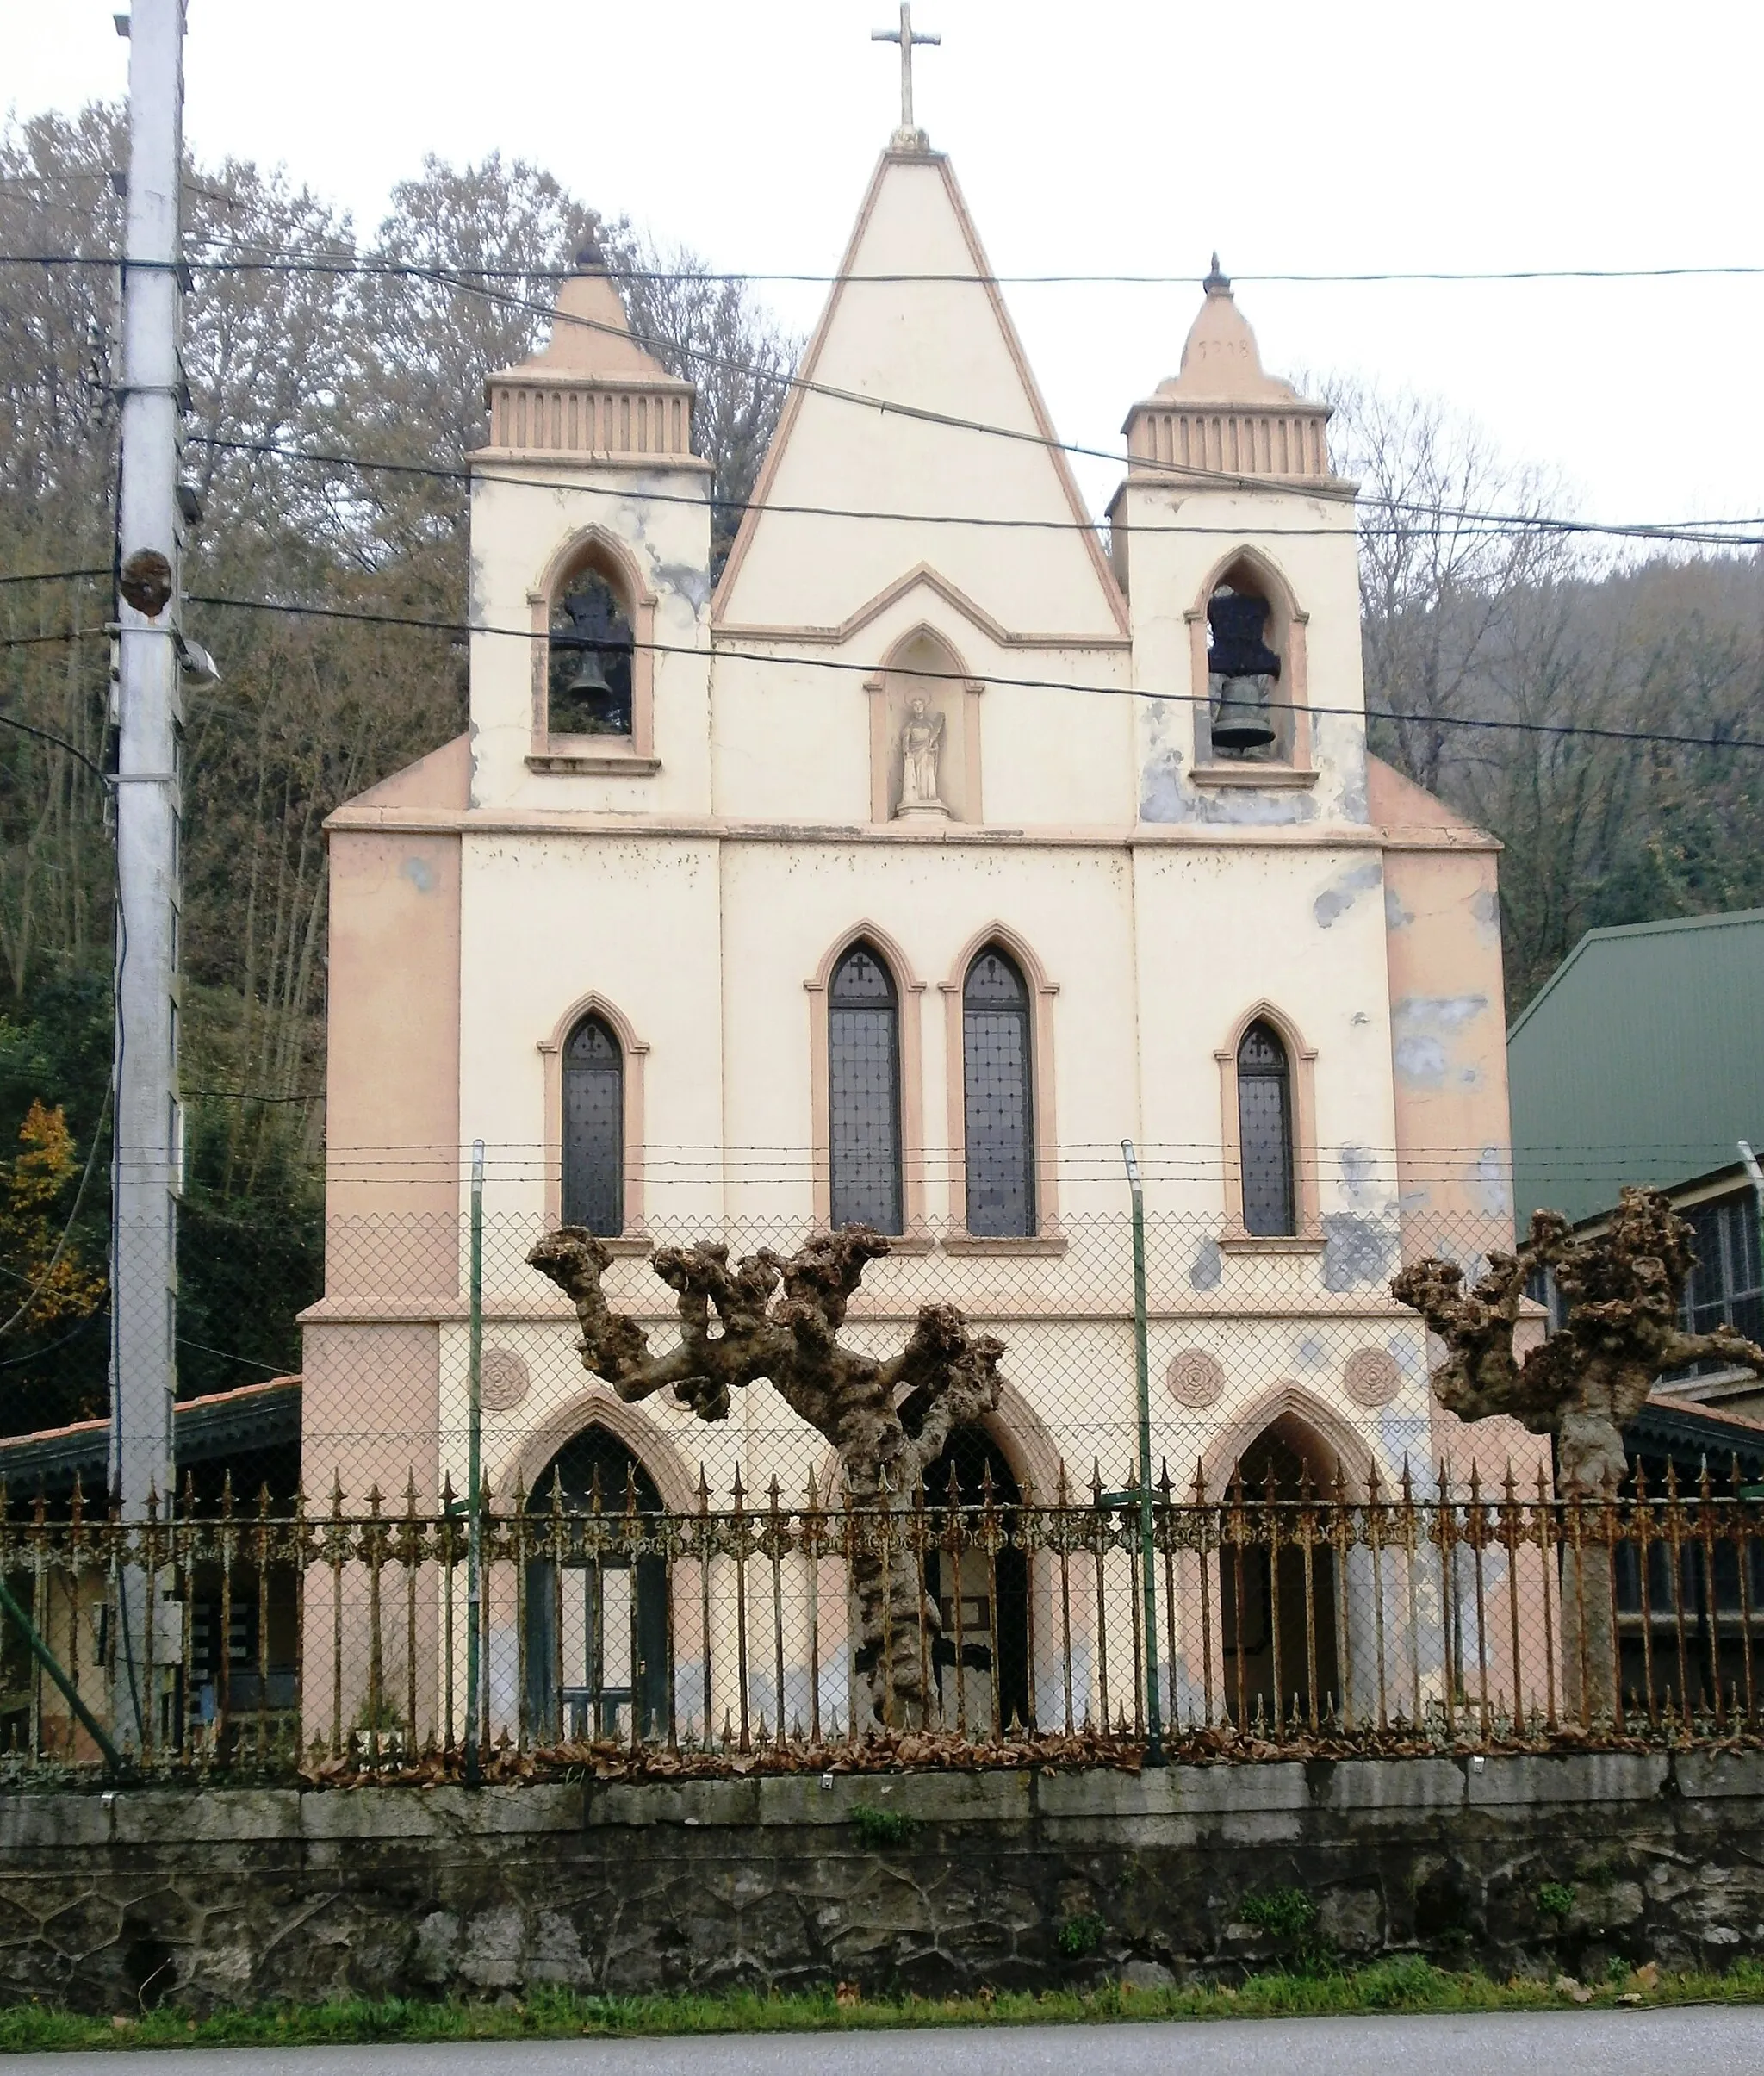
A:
x,y
1391,1986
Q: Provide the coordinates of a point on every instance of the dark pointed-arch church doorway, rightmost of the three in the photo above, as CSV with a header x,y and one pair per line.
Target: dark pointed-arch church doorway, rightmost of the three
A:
x,y
1279,1591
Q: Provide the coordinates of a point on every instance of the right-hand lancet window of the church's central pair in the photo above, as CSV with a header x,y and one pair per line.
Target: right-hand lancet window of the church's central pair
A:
x,y
999,1128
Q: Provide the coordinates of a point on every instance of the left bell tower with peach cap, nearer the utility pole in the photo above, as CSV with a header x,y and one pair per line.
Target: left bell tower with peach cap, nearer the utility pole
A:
x,y
590,572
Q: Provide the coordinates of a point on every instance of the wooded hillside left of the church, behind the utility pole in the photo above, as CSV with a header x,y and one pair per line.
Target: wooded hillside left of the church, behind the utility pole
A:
x,y
308,713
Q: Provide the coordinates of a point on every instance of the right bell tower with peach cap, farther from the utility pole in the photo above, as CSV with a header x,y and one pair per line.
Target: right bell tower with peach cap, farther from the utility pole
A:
x,y
1234,543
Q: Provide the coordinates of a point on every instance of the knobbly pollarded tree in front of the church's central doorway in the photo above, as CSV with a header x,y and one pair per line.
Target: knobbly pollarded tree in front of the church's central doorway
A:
x,y
779,1319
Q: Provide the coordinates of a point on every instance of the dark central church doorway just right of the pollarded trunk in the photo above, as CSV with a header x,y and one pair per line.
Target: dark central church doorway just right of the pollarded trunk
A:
x,y
981,1660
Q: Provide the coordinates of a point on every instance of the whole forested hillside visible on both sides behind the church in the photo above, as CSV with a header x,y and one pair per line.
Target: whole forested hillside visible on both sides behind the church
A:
x,y
1464,622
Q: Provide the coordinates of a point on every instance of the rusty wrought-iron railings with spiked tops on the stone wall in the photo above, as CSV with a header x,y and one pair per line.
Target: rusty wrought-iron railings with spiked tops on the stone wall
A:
x,y
360,1639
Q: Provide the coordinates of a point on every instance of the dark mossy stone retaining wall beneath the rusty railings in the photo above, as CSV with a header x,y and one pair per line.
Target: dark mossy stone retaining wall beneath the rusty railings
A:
x,y
240,1896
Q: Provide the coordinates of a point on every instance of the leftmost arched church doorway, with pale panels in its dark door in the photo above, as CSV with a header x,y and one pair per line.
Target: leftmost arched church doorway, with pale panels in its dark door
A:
x,y
597,1602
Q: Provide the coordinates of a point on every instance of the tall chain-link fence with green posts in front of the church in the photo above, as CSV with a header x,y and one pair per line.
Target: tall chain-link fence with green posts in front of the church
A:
x,y
447,1546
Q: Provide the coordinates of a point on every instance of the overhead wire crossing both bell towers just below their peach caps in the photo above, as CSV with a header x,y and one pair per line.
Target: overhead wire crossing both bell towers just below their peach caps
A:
x,y
1694,532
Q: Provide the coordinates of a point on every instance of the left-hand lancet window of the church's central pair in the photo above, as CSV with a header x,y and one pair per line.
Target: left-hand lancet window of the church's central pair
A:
x,y
864,1093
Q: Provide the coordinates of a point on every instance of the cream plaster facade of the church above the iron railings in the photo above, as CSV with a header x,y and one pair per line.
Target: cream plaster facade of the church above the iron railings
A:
x,y
702,898
